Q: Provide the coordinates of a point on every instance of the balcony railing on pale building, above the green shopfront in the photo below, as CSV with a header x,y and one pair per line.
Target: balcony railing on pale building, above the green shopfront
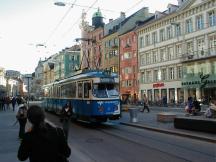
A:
x,y
195,55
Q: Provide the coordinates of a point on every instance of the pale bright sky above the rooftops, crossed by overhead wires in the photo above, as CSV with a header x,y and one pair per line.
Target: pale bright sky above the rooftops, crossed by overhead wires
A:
x,y
31,30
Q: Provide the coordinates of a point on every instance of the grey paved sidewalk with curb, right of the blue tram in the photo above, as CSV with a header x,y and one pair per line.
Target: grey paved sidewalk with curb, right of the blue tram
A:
x,y
149,121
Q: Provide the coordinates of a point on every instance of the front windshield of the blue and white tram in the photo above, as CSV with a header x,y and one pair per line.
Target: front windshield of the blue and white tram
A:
x,y
105,90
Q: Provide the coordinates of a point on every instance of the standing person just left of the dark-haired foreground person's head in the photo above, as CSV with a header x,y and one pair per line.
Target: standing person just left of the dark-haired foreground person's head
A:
x,y
22,119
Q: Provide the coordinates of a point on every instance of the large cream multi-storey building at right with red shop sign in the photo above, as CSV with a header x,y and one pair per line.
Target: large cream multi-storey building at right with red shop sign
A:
x,y
172,46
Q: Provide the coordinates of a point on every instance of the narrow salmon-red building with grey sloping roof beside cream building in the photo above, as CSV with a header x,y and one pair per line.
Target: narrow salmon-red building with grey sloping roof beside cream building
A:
x,y
129,84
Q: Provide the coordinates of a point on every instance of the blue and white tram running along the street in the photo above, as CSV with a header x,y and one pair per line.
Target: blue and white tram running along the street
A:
x,y
93,95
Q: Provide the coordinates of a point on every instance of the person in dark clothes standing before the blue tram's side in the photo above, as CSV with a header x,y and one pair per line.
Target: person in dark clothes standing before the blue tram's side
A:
x,y
66,117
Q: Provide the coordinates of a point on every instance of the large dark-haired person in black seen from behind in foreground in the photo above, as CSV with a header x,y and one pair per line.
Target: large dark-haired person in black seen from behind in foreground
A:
x,y
43,142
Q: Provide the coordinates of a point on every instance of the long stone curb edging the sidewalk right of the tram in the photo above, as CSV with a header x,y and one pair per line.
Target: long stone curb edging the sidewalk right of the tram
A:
x,y
170,132
